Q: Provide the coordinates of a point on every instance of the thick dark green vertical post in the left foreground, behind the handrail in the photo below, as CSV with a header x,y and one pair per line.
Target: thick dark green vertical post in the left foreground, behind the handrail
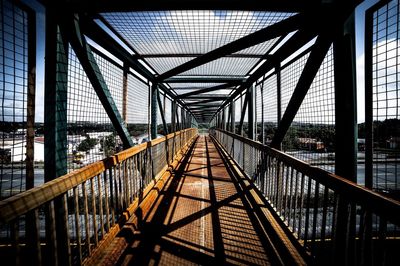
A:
x,y
55,124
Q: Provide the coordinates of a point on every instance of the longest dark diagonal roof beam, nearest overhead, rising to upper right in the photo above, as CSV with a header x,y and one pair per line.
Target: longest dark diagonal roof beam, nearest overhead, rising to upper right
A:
x,y
275,30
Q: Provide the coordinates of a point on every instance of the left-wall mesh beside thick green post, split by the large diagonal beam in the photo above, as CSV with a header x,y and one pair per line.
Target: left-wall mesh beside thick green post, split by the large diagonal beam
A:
x,y
91,136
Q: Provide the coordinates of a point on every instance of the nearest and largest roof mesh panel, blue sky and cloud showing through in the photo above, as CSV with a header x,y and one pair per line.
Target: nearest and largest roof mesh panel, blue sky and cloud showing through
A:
x,y
189,31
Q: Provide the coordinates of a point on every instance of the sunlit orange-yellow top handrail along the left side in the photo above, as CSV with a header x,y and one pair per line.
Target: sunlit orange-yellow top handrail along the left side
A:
x,y
19,204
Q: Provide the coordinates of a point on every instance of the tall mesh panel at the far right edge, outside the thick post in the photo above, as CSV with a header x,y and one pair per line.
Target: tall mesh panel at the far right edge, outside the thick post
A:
x,y
386,97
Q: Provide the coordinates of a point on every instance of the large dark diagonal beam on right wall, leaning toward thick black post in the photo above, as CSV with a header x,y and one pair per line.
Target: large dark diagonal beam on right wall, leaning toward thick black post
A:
x,y
311,68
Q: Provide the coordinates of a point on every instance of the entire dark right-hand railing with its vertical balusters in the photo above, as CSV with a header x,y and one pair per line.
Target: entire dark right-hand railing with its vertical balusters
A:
x,y
333,220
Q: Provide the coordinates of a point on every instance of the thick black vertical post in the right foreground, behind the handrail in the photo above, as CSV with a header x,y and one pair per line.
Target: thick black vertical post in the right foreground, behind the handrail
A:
x,y
346,137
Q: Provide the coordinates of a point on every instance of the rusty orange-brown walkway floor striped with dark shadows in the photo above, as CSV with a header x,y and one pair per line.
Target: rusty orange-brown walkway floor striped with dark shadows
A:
x,y
200,217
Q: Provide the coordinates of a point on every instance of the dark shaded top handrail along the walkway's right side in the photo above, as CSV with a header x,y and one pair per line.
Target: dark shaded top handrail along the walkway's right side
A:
x,y
376,202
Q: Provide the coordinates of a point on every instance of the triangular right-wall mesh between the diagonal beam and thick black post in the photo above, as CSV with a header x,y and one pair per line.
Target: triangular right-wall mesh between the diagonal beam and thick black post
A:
x,y
311,136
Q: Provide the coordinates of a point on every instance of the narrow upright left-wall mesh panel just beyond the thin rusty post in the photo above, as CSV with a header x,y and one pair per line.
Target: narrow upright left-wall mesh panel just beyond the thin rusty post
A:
x,y
138,109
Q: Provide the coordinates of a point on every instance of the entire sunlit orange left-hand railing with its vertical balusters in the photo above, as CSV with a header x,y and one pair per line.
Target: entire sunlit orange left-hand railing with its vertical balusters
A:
x,y
65,220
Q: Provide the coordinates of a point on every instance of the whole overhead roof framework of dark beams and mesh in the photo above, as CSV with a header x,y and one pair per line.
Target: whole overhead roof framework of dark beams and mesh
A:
x,y
204,53
